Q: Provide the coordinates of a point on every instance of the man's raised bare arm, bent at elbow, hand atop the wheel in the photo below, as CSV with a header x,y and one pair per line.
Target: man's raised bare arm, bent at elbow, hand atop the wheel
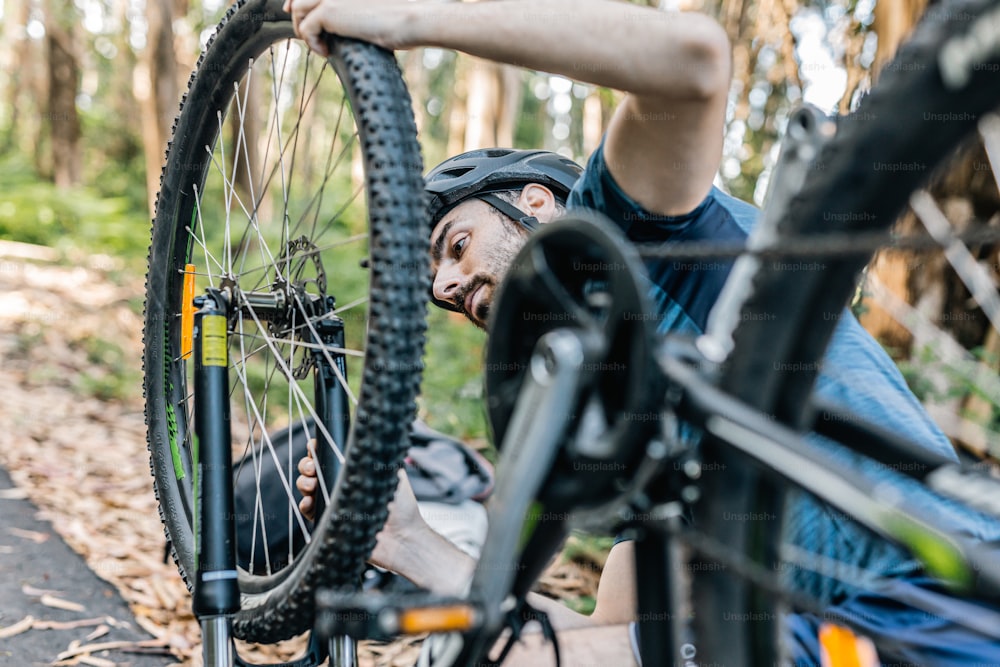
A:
x,y
664,143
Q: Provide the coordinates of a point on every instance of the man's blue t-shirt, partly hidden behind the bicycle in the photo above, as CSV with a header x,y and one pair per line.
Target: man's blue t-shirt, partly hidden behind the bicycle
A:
x,y
856,374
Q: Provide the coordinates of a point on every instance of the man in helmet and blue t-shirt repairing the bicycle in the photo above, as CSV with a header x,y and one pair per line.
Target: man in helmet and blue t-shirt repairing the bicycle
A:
x,y
652,175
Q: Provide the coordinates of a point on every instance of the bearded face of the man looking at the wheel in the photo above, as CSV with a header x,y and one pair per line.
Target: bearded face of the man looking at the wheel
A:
x,y
471,249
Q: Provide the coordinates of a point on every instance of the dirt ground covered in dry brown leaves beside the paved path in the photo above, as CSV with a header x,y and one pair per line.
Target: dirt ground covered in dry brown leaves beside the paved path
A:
x,y
73,440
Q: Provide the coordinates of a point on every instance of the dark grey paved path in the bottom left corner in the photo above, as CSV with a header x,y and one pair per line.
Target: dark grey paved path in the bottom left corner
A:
x,y
35,562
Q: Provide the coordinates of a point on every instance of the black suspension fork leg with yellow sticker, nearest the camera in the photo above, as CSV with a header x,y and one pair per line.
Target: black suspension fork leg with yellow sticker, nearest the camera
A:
x,y
216,590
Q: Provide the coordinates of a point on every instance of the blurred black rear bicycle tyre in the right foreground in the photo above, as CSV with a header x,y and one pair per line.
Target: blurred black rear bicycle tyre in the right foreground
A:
x,y
790,314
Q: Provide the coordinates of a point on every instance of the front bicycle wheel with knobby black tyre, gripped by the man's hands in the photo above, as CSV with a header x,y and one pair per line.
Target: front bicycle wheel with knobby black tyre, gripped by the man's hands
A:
x,y
261,196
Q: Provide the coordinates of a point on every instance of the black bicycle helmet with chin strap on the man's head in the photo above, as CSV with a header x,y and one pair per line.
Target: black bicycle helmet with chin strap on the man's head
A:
x,y
480,173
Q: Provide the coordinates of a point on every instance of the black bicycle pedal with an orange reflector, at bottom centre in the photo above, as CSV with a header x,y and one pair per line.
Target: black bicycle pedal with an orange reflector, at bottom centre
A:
x,y
381,616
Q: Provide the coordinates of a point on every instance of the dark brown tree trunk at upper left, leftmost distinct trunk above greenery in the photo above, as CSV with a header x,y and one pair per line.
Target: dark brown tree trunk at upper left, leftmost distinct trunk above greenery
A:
x,y
64,78
